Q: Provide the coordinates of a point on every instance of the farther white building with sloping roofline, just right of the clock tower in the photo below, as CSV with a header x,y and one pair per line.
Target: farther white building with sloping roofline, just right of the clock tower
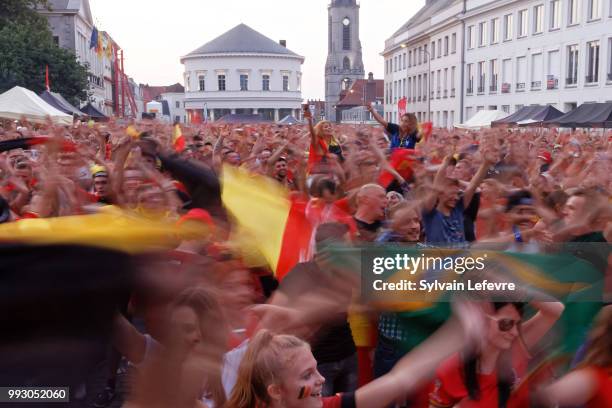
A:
x,y
423,64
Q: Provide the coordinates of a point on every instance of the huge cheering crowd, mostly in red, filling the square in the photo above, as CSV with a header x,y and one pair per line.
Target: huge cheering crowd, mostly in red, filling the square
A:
x,y
219,332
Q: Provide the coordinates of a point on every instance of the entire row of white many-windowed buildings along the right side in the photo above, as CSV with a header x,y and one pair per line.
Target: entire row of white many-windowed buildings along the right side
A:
x,y
514,53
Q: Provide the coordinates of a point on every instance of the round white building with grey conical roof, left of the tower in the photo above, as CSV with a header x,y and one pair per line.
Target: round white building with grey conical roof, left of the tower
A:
x,y
243,72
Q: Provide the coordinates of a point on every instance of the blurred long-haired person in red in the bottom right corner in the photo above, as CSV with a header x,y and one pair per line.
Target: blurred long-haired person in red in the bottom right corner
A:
x,y
591,384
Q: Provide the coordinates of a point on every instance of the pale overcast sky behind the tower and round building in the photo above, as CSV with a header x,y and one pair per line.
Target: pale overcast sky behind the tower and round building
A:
x,y
156,33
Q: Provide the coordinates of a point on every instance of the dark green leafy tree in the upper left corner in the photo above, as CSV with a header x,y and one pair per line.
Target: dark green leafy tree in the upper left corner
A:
x,y
27,46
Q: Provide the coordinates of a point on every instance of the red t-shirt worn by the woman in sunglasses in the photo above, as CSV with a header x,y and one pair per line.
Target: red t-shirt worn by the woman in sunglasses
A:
x,y
450,390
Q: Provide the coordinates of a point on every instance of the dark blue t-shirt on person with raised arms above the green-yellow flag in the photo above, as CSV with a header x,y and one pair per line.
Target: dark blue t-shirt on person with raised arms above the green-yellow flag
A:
x,y
442,229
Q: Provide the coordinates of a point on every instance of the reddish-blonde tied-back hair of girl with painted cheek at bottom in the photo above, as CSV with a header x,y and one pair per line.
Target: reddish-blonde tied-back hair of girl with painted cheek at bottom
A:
x,y
262,364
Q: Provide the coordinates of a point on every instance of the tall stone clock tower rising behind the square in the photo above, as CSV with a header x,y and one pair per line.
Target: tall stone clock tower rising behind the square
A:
x,y
344,63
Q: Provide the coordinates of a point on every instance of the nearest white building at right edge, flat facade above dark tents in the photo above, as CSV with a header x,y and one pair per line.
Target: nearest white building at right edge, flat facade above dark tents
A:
x,y
542,52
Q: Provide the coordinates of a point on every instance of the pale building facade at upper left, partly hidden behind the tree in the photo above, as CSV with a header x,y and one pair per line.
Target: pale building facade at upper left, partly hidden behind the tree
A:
x,y
71,24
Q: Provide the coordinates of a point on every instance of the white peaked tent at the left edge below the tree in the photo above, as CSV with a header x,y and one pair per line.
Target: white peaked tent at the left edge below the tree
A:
x,y
20,102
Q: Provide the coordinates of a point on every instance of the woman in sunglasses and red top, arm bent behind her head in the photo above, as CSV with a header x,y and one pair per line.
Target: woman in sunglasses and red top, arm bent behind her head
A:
x,y
491,374
